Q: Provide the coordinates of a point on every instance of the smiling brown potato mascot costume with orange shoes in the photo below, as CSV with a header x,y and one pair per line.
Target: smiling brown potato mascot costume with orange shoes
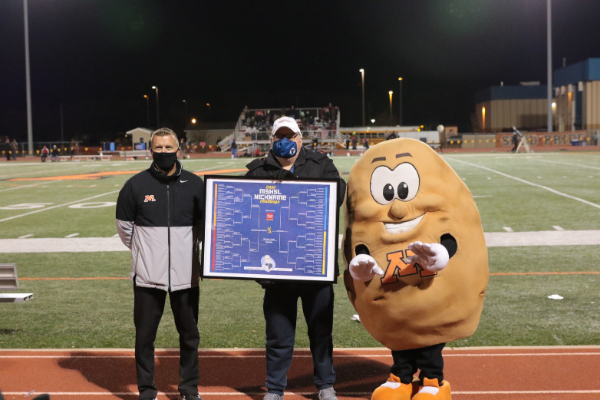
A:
x,y
416,261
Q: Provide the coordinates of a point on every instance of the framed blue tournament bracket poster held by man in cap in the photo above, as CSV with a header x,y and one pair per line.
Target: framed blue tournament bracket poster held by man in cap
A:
x,y
265,229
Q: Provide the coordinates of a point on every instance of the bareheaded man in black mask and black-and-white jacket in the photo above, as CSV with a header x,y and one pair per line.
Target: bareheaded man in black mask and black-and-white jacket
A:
x,y
160,218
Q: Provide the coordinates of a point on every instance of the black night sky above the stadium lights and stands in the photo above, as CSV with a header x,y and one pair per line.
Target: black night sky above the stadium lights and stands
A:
x,y
99,57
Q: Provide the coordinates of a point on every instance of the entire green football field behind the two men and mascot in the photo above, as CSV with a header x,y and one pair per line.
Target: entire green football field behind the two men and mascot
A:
x,y
520,193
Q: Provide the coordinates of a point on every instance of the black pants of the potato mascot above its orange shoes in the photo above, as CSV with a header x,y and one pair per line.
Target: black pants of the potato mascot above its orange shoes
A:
x,y
428,359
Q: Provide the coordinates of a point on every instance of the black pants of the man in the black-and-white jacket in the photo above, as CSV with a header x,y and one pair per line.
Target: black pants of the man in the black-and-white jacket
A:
x,y
148,309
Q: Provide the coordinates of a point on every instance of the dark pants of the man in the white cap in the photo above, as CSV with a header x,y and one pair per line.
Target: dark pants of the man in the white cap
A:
x,y
281,308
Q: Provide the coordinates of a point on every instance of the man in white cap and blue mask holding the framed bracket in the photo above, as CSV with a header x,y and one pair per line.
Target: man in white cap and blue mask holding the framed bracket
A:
x,y
289,160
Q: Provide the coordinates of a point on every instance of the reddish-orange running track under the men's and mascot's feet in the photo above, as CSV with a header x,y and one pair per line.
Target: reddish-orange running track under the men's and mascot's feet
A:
x,y
534,373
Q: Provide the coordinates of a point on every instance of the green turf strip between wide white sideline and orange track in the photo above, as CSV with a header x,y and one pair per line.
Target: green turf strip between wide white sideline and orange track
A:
x,y
98,314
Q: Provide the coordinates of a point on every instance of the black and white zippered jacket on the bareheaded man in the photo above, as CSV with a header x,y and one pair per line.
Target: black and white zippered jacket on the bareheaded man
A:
x,y
160,218
